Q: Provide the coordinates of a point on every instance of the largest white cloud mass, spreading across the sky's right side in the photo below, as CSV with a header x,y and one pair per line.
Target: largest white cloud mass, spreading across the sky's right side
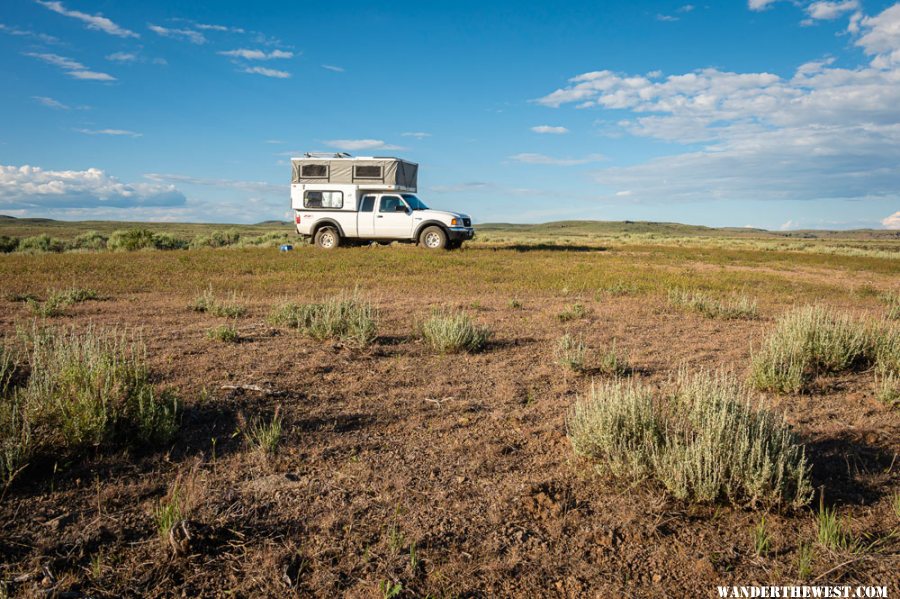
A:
x,y
826,132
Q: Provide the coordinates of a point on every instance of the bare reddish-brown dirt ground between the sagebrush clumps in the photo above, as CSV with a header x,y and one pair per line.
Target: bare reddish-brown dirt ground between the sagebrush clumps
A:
x,y
450,476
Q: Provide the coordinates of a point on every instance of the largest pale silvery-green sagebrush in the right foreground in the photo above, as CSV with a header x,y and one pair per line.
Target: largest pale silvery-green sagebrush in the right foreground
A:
x,y
704,442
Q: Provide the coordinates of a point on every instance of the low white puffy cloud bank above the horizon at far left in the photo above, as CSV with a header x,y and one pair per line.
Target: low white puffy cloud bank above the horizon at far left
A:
x,y
33,190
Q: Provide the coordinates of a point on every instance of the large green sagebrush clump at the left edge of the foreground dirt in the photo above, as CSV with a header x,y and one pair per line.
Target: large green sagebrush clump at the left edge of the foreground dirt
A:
x,y
83,389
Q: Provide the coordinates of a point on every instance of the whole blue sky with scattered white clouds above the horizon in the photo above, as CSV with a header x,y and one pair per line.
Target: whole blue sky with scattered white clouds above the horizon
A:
x,y
765,113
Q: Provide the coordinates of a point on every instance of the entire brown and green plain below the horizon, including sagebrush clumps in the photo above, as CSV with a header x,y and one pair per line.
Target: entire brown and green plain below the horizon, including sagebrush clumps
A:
x,y
570,409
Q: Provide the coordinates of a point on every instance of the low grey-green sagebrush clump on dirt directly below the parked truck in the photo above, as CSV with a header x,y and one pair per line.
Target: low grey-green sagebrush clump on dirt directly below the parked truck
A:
x,y
347,317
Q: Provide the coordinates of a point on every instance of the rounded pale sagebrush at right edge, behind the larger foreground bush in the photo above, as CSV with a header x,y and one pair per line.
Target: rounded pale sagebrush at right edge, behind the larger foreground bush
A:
x,y
814,340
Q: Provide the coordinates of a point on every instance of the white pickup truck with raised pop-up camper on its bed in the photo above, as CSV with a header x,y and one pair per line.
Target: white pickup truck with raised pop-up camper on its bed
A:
x,y
338,199
